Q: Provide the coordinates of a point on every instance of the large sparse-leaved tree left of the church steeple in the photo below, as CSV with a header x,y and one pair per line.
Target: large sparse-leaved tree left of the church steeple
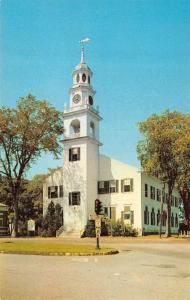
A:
x,y
28,130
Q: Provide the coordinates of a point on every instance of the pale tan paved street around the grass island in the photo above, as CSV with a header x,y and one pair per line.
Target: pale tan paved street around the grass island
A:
x,y
142,270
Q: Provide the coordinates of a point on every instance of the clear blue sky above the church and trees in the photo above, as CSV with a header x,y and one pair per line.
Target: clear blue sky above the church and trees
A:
x,y
139,53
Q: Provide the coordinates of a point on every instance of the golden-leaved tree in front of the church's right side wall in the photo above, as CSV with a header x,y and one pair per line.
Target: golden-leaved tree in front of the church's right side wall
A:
x,y
165,151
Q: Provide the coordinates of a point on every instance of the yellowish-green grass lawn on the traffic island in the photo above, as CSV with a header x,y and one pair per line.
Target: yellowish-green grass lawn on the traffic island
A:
x,y
48,248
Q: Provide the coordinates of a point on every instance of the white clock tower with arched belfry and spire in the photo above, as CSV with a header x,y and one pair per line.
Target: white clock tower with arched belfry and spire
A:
x,y
81,150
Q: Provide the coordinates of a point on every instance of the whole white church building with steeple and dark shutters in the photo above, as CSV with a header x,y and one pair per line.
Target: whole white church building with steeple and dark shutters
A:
x,y
126,193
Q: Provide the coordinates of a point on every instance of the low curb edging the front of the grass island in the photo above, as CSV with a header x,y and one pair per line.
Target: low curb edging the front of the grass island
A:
x,y
112,252
